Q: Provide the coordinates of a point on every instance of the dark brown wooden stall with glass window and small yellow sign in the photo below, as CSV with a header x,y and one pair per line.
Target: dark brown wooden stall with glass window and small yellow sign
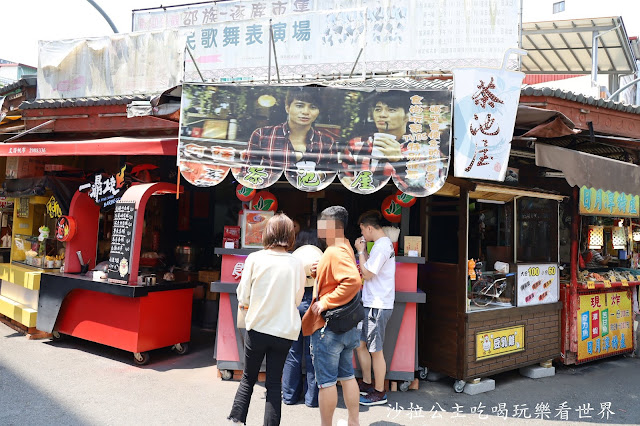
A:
x,y
482,321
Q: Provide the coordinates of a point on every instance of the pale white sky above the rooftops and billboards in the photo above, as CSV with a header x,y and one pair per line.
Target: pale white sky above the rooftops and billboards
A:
x,y
27,21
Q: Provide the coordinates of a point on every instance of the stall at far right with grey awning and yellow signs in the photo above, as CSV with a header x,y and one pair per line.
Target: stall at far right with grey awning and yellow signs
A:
x,y
598,298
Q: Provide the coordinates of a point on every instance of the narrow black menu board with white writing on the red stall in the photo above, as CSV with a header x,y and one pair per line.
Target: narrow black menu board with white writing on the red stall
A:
x,y
121,242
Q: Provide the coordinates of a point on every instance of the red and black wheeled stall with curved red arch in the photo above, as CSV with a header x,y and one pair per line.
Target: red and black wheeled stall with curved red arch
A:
x,y
120,307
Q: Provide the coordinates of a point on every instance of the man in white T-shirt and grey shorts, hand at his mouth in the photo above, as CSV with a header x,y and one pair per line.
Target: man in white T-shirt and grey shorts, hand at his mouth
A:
x,y
378,294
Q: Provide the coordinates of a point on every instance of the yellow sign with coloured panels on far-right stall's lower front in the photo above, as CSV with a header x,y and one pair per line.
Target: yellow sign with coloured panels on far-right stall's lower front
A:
x,y
605,324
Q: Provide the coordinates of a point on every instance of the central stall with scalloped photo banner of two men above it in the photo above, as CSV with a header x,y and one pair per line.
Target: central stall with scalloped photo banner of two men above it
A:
x,y
340,170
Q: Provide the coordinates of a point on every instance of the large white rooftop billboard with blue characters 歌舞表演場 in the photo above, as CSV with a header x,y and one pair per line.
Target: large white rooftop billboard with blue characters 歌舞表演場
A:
x,y
230,40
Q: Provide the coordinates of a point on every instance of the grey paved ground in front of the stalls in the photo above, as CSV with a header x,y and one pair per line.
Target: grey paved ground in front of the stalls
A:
x,y
75,382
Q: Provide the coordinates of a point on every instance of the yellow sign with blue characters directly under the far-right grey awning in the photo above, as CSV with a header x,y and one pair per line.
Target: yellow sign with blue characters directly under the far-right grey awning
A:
x,y
598,202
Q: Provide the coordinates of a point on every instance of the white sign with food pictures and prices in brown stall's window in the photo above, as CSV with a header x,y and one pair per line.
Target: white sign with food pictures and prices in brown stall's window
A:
x,y
538,283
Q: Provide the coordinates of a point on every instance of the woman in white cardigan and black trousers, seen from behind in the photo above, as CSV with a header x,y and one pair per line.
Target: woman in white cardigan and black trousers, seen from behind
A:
x,y
270,290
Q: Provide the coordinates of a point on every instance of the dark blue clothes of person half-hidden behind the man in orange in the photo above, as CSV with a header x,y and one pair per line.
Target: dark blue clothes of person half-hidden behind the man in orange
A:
x,y
293,382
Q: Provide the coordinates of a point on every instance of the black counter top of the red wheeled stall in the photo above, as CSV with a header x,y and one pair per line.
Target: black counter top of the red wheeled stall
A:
x,y
88,283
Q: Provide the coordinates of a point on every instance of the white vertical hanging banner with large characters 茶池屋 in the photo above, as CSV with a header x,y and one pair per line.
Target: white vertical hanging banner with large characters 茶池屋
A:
x,y
486,102
